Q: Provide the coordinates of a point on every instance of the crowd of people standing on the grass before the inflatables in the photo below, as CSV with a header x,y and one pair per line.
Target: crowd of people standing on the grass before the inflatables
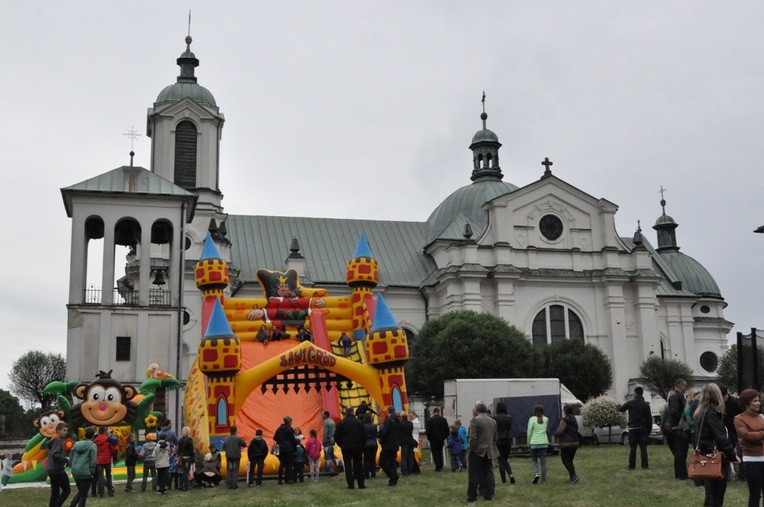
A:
x,y
706,421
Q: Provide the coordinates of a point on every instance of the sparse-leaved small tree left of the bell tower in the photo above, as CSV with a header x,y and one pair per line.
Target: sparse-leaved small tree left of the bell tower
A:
x,y
32,372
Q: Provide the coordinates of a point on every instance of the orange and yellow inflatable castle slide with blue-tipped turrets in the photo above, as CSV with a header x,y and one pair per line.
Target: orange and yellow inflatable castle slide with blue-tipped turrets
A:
x,y
295,351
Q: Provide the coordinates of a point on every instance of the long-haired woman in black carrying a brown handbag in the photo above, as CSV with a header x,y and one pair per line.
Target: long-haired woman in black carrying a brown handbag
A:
x,y
712,439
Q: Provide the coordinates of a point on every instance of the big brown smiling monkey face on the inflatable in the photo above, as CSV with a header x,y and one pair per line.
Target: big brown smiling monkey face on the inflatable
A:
x,y
105,402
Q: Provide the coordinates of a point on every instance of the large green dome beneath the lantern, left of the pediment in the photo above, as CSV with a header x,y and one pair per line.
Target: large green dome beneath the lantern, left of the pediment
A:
x,y
464,207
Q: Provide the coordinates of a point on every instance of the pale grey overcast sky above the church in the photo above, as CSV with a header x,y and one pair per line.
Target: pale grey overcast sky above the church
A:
x,y
369,108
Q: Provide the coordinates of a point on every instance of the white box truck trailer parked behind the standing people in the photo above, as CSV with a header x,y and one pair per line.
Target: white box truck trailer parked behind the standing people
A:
x,y
520,396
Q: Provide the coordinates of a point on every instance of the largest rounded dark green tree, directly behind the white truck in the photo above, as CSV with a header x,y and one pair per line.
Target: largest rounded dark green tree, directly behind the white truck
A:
x,y
467,344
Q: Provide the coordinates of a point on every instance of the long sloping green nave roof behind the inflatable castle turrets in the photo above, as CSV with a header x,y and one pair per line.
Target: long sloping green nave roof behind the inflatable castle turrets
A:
x,y
262,242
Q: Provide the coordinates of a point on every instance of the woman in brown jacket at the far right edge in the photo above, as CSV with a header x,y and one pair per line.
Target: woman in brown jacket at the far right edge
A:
x,y
750,431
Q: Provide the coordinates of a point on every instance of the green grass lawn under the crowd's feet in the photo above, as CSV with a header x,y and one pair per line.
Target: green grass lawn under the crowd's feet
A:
x,y
605,481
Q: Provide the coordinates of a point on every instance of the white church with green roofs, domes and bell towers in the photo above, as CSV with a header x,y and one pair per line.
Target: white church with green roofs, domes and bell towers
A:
x,y
546,257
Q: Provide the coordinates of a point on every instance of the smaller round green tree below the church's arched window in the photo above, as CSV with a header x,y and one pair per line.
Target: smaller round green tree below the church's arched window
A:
x,y
583,368
